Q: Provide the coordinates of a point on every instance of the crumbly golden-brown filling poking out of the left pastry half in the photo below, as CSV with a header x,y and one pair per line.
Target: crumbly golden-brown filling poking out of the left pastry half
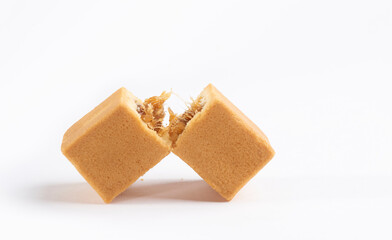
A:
x,y
152,112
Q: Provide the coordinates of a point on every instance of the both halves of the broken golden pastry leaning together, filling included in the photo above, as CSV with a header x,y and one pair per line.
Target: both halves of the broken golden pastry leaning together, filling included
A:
x,y
123,137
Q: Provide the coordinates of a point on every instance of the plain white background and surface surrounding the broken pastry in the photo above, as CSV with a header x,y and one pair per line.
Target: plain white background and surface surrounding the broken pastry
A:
x,y
315,76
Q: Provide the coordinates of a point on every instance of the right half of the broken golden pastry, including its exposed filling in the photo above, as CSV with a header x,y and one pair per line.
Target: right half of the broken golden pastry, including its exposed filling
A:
x,y
219,142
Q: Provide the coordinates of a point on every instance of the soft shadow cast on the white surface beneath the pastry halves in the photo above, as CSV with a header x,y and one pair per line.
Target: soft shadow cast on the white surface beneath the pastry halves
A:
x,y
141,191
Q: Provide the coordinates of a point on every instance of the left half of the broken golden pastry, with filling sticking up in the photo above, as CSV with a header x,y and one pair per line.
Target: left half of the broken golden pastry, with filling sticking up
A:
x,y
118,141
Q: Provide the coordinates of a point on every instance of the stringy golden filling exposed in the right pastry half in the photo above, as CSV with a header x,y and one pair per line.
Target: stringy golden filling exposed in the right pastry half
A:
x,y
177,123
